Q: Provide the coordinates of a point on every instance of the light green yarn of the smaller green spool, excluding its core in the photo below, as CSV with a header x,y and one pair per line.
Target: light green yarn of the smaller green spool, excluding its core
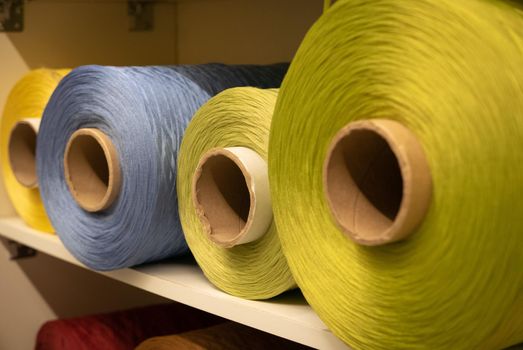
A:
x,y
238,117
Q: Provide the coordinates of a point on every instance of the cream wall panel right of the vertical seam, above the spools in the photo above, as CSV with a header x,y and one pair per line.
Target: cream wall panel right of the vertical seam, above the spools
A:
x,y
243,31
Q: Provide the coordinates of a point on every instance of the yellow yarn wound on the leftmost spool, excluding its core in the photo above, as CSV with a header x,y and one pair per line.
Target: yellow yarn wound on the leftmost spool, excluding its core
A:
x,y
27,99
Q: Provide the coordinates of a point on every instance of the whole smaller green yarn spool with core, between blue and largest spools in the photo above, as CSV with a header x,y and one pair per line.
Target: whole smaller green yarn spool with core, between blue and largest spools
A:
x,y
211,200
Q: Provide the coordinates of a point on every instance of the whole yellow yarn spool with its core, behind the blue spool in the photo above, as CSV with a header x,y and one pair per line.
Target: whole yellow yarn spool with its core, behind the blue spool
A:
x,y
27,99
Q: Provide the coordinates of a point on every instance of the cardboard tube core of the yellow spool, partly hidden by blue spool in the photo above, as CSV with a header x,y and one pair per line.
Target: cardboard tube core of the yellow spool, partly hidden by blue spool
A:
x,y
22,151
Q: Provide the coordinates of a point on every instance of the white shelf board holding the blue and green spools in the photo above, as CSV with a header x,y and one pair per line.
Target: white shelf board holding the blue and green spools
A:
x,y
288,316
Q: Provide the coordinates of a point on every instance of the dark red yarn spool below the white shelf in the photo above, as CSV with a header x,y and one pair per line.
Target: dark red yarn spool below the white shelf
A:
x,y
121,330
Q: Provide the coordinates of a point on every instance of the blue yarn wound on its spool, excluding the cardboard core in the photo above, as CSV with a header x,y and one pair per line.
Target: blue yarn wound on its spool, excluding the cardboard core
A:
x,y
144,111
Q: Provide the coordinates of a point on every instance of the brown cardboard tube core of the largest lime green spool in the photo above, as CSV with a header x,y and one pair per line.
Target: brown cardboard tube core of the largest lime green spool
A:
x,y
377,181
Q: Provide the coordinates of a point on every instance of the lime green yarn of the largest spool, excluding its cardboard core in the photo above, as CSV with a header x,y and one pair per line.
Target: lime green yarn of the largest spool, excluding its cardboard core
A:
x,y
449,72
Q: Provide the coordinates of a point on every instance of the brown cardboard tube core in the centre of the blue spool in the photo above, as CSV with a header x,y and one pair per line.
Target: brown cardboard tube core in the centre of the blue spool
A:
x,y
92,169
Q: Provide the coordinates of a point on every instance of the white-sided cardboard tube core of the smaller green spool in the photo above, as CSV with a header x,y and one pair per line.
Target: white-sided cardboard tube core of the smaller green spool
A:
x,y
231,195
